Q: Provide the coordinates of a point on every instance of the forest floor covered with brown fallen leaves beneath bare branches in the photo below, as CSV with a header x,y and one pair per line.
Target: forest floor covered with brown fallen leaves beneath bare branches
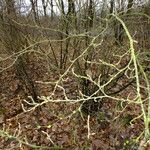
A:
x,y
60,124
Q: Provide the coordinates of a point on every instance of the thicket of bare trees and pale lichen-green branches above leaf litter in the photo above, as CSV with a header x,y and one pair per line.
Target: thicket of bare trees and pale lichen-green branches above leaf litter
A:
x,y
103,48
